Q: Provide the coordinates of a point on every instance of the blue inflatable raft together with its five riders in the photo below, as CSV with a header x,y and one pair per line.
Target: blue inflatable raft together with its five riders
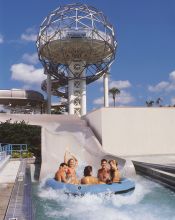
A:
x,y
108,178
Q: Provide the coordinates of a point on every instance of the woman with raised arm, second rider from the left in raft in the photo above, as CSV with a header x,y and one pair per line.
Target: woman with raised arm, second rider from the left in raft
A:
x,y
72,165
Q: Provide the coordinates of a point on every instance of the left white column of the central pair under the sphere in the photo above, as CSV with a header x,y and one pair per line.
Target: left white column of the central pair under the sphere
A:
x,y
71,94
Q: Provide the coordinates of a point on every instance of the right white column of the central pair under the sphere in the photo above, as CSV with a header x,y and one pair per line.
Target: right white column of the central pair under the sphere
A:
x,y
83,95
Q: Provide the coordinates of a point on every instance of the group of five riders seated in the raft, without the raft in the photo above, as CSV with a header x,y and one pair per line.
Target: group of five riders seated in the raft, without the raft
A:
x,y
107,174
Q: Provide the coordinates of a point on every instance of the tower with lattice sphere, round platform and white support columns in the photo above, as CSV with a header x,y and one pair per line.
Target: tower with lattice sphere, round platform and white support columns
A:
x,y
76,45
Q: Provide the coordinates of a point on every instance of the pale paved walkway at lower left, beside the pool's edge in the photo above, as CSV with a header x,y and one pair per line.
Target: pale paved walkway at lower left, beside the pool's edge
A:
x,y
7,180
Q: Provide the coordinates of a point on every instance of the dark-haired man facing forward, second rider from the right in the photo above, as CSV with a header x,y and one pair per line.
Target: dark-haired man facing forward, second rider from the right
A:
x,y
104,173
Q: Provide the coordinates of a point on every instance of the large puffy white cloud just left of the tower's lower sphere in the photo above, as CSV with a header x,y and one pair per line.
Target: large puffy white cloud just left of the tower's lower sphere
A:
x,y
27,73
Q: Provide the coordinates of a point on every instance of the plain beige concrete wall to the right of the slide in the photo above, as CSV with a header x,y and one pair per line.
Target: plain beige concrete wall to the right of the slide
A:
x,y
135,131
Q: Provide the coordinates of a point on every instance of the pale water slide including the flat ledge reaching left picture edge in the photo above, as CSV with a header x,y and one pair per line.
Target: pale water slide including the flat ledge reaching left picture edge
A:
x,y
61,132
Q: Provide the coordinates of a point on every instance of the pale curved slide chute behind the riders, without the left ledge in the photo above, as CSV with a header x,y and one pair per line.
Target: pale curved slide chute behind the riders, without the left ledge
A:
x,y
78,138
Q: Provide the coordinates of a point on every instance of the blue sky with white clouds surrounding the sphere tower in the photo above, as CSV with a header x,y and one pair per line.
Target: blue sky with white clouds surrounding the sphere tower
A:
x,y
144,67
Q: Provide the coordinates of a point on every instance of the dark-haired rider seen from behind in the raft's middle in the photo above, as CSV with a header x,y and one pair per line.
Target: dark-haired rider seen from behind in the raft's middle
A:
x,y
88,178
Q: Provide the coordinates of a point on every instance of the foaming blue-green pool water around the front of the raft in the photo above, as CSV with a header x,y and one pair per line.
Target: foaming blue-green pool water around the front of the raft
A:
x,y
149,201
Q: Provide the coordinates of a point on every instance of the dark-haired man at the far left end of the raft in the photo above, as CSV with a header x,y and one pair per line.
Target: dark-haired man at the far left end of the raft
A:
x,y
61,174
